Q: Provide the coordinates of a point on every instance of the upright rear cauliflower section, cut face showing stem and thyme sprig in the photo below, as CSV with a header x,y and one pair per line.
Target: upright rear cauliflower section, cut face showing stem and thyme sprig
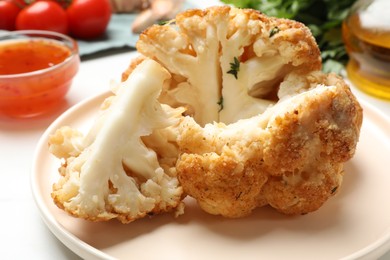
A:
x,y
228,62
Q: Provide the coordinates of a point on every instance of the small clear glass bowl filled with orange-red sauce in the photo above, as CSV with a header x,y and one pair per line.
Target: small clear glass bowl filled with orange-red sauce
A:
x,y
36,71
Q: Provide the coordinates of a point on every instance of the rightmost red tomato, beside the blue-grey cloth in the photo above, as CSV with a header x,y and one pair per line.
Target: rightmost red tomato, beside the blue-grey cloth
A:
x,y
88,19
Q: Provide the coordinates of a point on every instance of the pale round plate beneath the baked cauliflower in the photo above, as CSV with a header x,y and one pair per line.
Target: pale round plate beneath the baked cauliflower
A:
x,y
354,224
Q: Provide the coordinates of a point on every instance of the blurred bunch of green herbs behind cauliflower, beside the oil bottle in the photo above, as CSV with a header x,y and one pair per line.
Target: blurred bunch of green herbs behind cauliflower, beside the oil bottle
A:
x,y
323,17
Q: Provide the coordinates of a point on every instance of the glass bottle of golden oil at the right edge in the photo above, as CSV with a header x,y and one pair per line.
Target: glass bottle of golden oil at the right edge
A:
x,y
366,33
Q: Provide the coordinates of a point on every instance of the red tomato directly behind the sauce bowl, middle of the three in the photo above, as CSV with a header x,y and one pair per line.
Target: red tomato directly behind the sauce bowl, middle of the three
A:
x,y
43,15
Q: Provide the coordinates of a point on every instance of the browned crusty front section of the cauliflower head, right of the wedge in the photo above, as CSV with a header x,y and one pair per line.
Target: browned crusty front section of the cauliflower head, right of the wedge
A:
x,y
290,157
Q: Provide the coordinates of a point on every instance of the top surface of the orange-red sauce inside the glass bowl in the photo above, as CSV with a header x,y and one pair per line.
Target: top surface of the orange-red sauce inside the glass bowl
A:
x,y
27,56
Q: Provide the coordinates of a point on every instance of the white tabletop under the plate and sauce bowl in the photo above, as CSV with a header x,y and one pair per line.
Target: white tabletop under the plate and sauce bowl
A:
x,y
23,233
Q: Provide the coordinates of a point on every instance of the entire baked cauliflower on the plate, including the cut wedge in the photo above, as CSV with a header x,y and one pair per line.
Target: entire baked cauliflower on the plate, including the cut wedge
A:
x,y
225,105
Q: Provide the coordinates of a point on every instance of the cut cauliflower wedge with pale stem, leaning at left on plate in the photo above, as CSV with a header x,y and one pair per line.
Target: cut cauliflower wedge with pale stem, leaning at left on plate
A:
x,y
111,172
